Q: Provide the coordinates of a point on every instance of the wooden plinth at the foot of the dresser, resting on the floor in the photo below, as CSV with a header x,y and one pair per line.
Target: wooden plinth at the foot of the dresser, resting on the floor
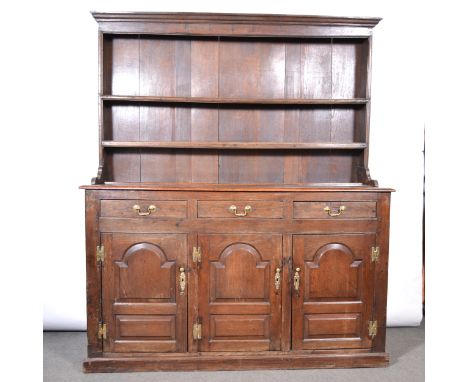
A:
x,y
233,361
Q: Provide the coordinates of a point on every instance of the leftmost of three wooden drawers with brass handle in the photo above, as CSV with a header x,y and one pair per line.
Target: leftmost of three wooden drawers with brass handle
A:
x,y
175,209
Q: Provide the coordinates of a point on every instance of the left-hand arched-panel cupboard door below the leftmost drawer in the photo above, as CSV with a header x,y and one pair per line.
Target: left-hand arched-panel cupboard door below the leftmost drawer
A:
x,y
144,303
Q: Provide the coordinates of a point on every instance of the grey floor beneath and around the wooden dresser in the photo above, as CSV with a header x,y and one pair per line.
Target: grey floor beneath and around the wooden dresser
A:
x,y
65,351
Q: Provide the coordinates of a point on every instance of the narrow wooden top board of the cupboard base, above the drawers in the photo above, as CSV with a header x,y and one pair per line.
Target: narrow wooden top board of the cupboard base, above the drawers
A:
x,y
323,187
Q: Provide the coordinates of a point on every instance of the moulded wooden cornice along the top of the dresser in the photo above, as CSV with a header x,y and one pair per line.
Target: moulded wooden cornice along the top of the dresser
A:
x,y
230,24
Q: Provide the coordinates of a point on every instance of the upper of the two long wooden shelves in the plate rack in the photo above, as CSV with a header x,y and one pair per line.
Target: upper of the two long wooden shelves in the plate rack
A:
x,y
235,101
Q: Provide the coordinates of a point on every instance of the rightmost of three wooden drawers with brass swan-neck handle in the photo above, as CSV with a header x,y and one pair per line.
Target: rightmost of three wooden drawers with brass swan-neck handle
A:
x,y
335,210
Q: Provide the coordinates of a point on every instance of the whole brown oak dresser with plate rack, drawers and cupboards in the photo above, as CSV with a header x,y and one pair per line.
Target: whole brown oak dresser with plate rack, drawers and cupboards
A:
x,y
233,223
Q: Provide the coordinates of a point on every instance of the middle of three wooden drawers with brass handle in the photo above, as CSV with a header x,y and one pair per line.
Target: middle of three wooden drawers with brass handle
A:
x,y
240,209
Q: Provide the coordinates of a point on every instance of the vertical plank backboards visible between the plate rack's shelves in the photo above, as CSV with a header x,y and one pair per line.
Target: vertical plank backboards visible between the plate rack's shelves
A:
x,y
241,68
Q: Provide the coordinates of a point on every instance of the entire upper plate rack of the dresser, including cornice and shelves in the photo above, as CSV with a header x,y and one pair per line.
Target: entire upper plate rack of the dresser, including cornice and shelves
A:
x,y
234,99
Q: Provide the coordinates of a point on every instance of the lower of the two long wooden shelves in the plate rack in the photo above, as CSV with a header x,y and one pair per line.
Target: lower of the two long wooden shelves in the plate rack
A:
x,y
234,145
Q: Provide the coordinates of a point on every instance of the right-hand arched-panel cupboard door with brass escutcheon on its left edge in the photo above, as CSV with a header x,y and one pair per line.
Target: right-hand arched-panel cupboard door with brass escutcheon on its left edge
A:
x,y
333,303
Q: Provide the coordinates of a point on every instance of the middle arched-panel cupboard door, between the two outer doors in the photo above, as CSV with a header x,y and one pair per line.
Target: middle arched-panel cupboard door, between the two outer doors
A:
x,y
240,306
